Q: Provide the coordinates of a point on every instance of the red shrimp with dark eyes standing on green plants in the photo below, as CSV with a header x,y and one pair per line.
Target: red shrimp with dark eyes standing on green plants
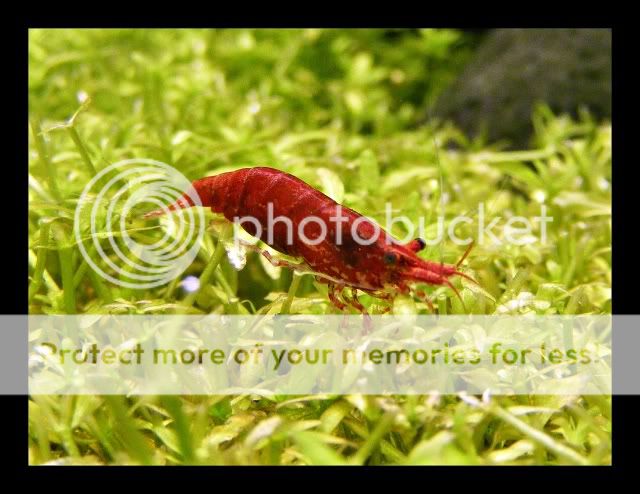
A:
x,y
383,268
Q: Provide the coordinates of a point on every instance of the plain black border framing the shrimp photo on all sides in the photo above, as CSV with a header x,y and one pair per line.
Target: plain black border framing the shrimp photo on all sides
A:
x,y
13,409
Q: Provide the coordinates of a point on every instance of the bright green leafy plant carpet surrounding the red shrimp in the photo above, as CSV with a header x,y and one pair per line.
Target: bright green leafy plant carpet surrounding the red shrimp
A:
x,y
343,110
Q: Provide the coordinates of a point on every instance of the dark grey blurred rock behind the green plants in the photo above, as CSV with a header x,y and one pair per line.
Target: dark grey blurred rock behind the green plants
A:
x,y
514,69
